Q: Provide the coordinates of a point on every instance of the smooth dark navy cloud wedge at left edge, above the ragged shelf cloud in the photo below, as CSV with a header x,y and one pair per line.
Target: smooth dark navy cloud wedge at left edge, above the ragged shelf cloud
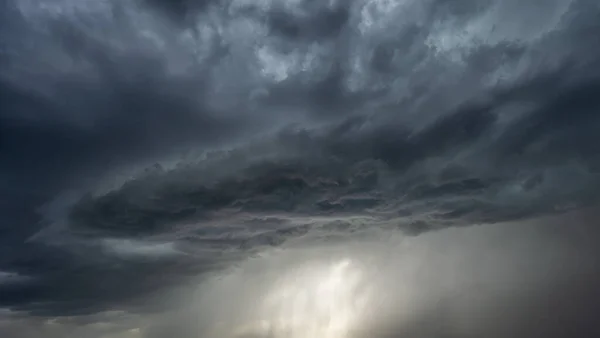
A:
x,y
119,114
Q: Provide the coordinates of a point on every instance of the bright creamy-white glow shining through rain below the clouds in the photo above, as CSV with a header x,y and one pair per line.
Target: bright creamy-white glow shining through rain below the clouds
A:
x,y
324,301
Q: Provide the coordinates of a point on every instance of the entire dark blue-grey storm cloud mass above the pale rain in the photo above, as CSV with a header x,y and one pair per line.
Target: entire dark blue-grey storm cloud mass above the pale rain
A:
x,y
417,117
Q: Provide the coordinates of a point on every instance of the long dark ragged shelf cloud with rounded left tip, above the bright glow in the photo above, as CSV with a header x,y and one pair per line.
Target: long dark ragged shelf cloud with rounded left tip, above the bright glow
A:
x,y
337,176
